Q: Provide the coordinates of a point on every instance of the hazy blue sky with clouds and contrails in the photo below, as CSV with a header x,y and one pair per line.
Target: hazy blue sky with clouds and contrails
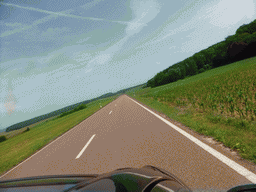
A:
x,y
55,53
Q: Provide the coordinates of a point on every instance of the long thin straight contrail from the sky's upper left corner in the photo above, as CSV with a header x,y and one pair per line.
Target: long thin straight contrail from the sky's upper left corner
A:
x,y
69,15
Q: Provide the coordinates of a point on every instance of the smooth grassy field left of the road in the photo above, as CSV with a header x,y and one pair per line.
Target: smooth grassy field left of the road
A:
x,y
21,145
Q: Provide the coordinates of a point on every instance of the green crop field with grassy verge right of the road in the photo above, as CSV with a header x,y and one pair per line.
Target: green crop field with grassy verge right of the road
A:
x,y
220,103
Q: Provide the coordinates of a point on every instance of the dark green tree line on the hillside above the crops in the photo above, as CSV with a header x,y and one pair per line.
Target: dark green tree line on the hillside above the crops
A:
x,y
242,43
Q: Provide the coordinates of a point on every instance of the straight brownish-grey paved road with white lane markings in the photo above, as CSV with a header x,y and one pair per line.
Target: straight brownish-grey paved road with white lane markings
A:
x,y
125,133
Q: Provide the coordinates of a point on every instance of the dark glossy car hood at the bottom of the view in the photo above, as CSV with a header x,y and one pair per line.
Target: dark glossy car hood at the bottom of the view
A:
x,y
133,179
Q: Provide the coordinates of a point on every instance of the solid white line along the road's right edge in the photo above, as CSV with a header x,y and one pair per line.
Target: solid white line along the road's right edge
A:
x,y
232,164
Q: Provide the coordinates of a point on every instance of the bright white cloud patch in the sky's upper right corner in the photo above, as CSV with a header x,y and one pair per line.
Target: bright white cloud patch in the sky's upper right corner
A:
x,y
215,15
